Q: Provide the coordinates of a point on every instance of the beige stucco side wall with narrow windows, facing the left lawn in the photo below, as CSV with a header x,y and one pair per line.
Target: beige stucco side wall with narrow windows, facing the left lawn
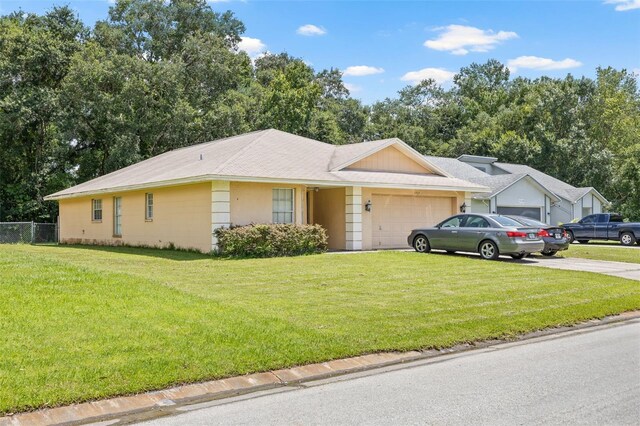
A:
x,y
182,217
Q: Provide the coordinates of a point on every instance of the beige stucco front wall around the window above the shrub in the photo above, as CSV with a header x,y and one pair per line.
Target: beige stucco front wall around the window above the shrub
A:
x,y
253,202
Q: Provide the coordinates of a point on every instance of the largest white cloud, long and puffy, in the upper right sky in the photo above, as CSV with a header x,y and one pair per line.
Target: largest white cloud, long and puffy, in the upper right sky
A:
x,y
461,39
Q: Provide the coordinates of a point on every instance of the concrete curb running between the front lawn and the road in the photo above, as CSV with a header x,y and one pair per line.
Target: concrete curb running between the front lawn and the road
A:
x,y
129,406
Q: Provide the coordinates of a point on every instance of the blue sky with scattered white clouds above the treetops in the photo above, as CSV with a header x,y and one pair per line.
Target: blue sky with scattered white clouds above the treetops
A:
x,y
383,46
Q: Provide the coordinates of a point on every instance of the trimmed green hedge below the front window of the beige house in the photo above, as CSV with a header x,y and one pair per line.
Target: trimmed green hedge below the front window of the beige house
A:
x,y
271,240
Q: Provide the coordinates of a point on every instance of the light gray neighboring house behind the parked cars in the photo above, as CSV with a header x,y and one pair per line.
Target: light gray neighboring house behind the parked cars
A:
x,y
522,190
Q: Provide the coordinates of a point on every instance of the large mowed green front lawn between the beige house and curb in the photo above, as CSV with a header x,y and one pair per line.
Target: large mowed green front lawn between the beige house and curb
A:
x,y
80,323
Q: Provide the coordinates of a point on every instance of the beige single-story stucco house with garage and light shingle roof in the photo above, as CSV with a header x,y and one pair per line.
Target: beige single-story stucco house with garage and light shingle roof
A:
x,y
367,195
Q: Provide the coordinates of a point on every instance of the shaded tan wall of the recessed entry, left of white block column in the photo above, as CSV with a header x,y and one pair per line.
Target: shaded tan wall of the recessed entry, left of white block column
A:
x,y
329,211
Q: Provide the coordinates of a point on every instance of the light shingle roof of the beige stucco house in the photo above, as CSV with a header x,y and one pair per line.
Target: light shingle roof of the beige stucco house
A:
x,y
269,155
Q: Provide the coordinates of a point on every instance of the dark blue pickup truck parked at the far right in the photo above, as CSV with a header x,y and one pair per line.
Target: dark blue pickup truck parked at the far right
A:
x,y
603,226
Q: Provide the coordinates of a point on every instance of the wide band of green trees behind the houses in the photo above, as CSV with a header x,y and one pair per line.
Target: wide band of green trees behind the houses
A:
x,y
155,75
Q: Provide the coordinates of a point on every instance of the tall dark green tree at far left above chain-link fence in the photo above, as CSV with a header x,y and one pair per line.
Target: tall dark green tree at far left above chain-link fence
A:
x,y
35,54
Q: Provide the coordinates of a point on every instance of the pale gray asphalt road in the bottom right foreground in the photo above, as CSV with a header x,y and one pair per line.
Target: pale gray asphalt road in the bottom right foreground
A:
x,y
590,376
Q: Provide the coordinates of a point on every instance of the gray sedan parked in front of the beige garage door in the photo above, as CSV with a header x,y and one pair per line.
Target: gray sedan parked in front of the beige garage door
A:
x,y
488,234
